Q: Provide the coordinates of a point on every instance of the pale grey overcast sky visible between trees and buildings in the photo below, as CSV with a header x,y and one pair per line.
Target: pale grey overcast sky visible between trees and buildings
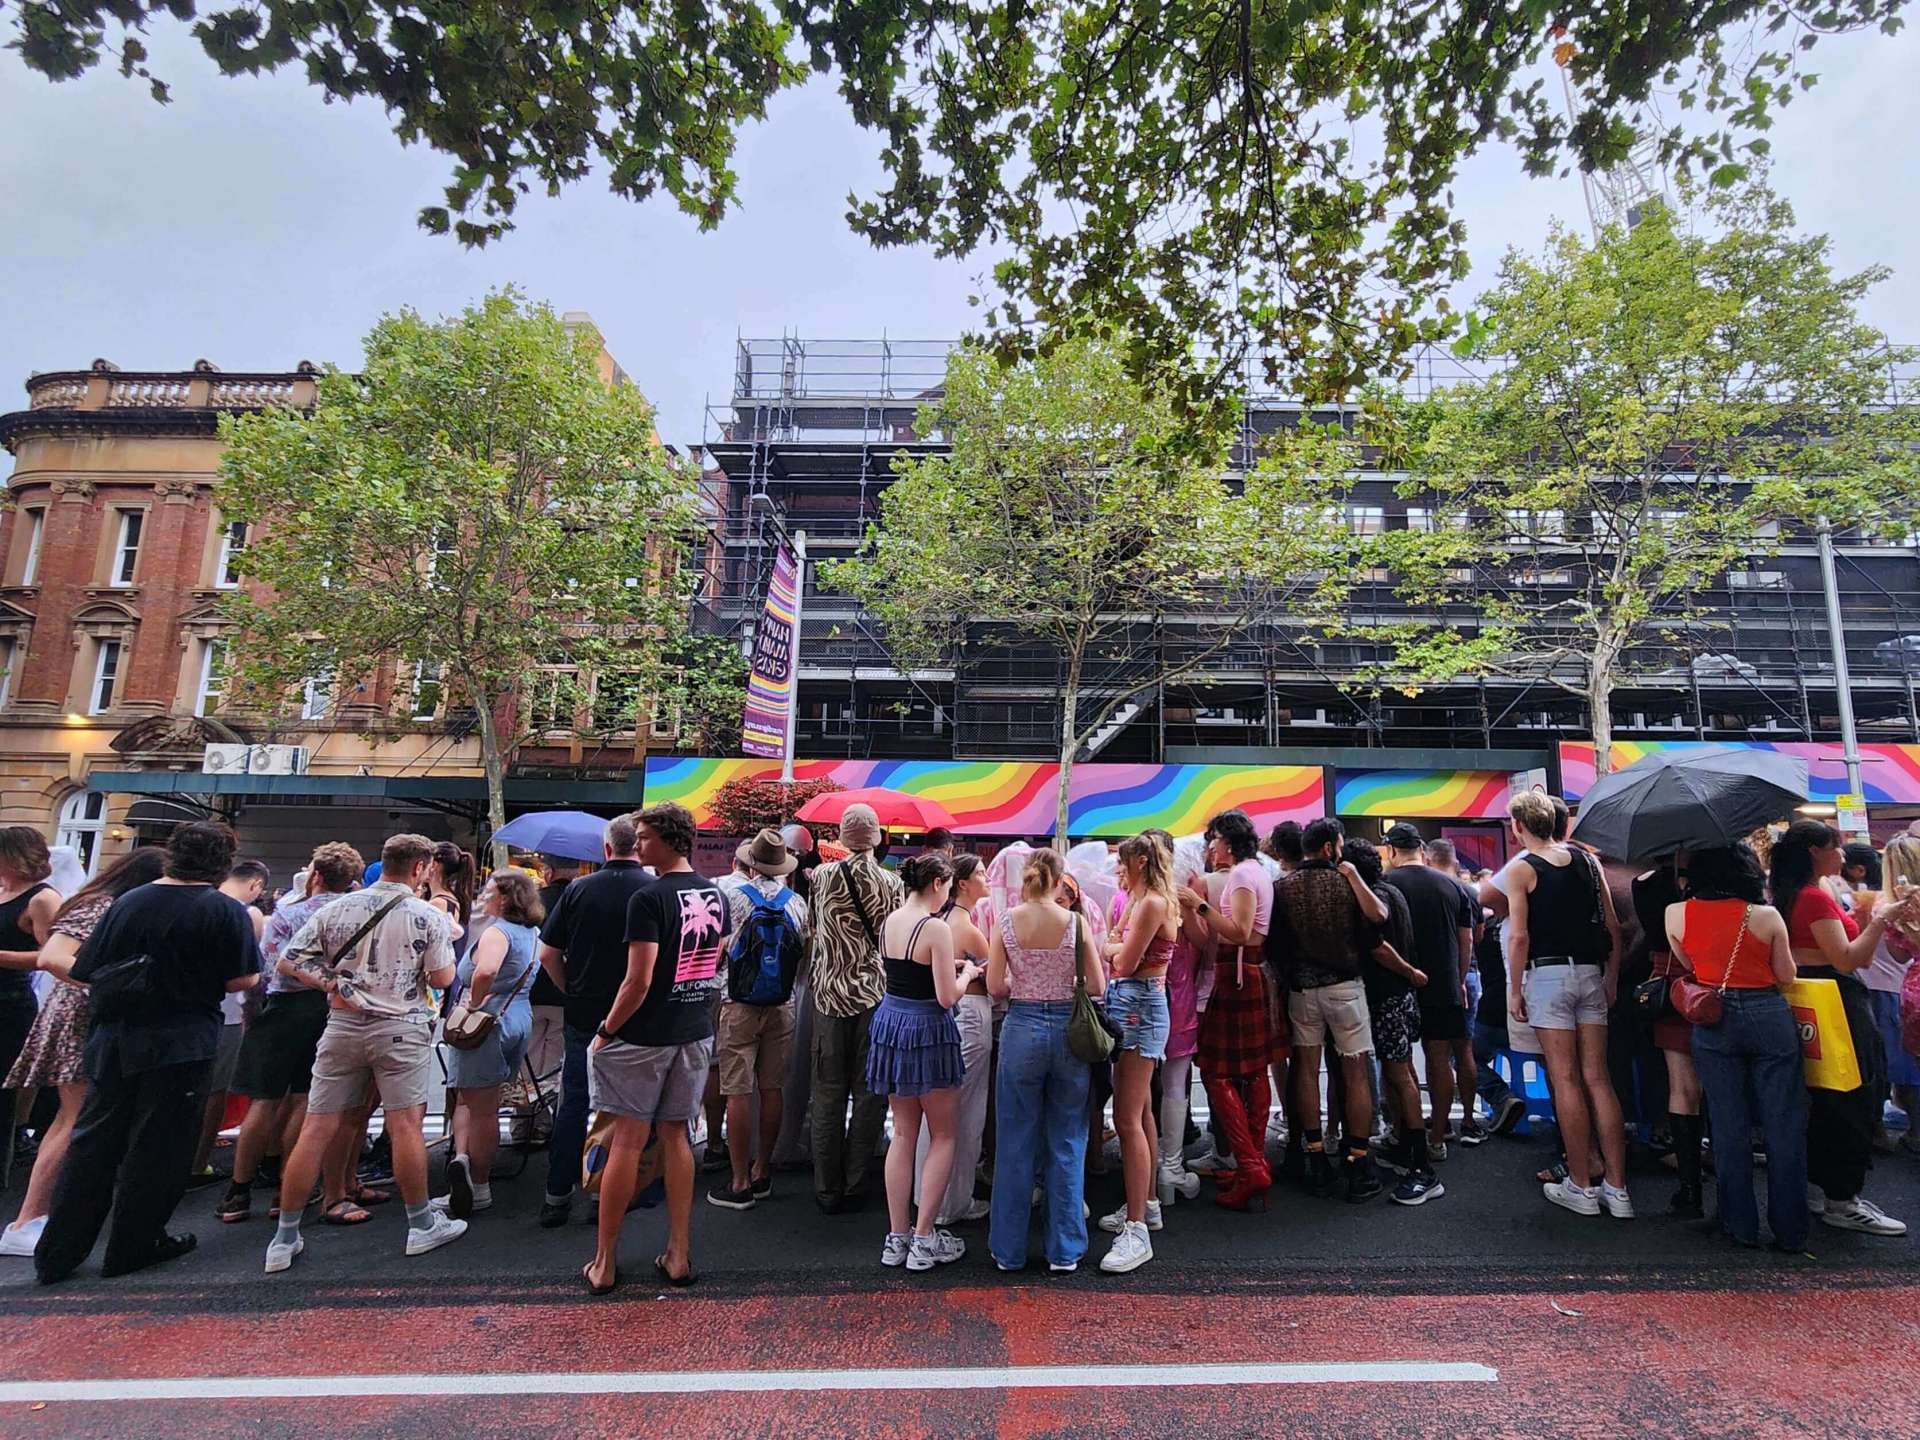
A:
x,y
254,226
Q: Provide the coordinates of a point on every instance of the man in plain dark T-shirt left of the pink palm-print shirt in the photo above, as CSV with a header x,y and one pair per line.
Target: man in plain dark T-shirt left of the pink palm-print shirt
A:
x,y
583,951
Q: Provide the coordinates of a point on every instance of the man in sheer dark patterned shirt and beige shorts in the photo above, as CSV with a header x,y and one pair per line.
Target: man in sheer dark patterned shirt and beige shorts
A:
x,y
1324,919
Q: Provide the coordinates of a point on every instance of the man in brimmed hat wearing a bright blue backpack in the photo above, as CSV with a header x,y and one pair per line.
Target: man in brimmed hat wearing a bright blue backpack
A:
x,y
756,1034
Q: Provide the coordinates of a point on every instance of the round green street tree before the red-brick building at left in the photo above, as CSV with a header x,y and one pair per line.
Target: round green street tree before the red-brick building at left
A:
x,y
477,498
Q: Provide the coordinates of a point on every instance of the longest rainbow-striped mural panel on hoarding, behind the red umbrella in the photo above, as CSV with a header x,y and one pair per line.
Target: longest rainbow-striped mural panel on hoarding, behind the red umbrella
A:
x,y
1017,798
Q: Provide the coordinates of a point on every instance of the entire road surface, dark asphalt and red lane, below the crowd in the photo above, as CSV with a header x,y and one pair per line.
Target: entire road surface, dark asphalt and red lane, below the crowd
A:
x,y
1487,1312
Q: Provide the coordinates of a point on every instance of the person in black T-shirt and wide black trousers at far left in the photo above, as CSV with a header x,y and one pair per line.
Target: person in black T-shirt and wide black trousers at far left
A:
x,y
149,1057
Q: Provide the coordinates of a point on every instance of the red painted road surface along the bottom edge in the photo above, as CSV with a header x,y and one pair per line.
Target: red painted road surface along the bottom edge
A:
x,y
1798,1356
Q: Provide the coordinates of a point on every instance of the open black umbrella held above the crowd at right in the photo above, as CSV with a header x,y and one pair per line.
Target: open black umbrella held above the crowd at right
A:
x,y
1689,802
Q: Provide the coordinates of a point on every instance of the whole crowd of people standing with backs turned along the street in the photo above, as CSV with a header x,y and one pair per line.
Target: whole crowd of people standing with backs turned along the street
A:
x,y
978,1024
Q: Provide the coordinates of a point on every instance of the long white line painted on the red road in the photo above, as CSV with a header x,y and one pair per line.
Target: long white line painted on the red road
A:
x,y
617,1383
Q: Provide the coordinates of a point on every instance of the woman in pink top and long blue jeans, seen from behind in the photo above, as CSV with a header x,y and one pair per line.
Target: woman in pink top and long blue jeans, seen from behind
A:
x,y
1042,1088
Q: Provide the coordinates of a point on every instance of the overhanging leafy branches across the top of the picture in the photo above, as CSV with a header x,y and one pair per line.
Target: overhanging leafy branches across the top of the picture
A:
x,y
1243,176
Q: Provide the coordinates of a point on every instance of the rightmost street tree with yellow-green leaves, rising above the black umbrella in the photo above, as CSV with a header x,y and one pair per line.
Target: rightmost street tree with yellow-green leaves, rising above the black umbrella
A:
x,y
1658,408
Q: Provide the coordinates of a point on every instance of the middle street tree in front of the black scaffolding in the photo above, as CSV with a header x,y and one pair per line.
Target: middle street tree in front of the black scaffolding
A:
x,y
1078,512
